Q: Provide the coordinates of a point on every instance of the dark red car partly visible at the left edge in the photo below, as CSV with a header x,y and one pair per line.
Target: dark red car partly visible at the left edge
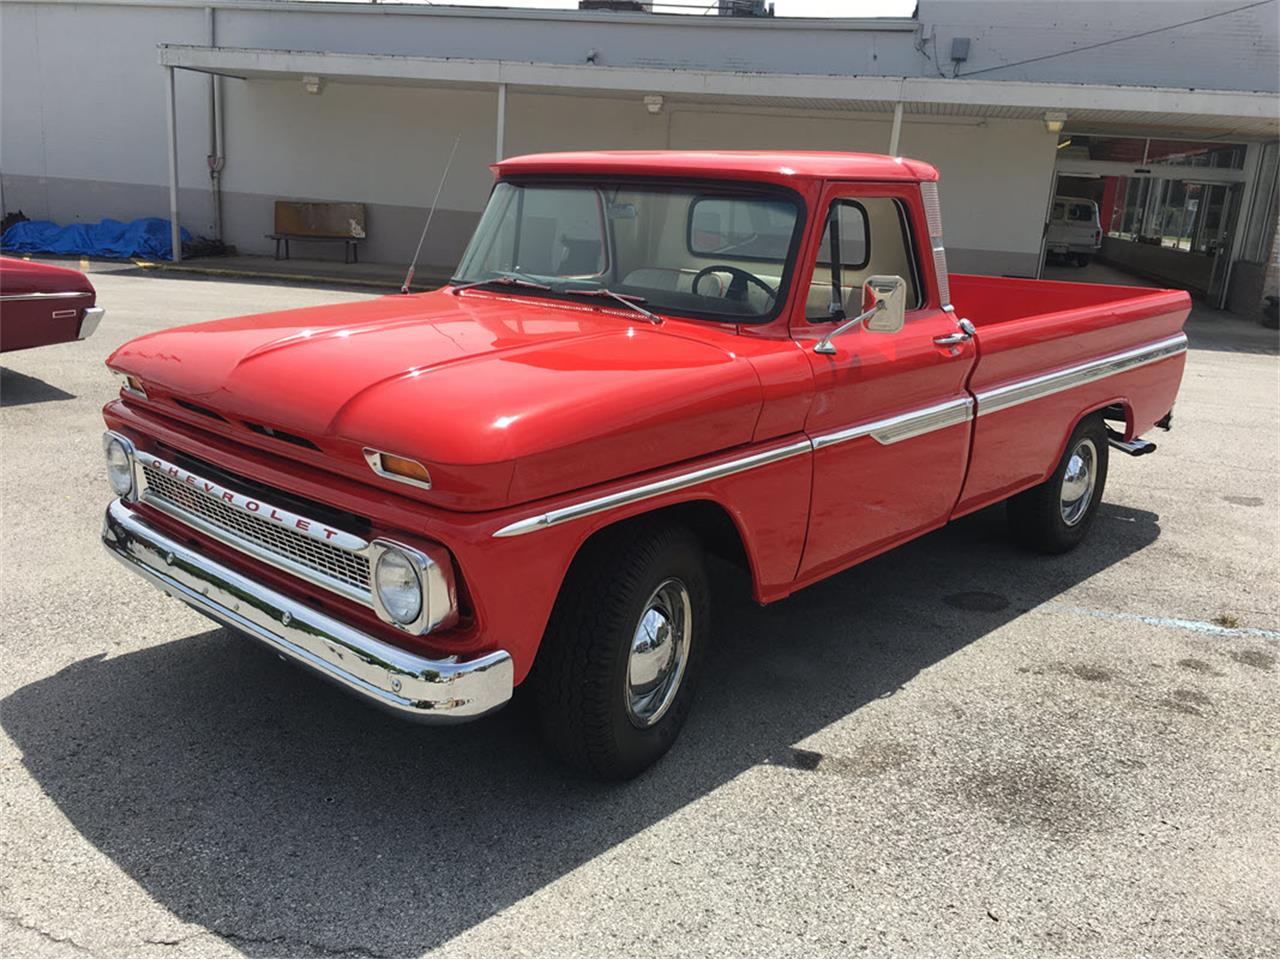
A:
x,y
42,304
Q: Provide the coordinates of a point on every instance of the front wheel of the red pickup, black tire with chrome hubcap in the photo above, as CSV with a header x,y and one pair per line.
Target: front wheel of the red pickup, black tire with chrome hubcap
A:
x,y
616,673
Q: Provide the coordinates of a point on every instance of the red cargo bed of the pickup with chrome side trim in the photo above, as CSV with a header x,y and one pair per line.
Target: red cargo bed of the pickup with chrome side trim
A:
x,y
1073,349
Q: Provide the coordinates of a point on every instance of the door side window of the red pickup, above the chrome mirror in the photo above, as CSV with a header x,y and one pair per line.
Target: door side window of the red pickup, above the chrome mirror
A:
x,y
874,239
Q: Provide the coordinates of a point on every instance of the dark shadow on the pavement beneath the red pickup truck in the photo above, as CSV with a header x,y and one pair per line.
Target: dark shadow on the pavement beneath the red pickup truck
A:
x,y
264,806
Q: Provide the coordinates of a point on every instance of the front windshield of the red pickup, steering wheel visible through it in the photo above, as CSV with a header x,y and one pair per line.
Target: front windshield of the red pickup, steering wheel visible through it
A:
x,y
720,254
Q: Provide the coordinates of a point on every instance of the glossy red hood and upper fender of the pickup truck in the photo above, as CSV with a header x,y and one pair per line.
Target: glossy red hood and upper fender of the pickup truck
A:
x,y
504,399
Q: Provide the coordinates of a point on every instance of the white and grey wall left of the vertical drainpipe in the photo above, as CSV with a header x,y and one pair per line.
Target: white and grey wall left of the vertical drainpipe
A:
x,y
83,113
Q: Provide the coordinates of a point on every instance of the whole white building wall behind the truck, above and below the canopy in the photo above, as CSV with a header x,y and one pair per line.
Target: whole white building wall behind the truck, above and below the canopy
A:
x,y
83,132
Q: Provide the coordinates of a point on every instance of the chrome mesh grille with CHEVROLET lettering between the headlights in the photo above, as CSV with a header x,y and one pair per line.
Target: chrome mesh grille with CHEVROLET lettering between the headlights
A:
x,y
328,561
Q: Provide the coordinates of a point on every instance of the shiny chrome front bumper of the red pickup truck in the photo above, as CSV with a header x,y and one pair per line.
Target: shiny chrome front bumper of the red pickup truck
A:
x,y
429,692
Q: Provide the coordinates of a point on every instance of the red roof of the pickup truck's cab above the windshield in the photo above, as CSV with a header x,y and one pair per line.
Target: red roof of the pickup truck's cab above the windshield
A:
x,y
771,166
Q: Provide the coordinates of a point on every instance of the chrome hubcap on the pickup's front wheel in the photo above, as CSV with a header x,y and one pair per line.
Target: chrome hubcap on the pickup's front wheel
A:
x,y
660,651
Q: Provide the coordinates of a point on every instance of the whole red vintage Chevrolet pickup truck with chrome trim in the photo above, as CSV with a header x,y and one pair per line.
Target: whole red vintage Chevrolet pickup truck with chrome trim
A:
x,y
643,360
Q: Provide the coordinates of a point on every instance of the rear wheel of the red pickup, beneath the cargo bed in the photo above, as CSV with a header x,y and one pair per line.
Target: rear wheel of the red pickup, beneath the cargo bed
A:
x,y
1057,515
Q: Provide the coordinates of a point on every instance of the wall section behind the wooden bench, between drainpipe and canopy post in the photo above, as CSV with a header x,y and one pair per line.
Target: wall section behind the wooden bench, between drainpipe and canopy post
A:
x,y
381,147
